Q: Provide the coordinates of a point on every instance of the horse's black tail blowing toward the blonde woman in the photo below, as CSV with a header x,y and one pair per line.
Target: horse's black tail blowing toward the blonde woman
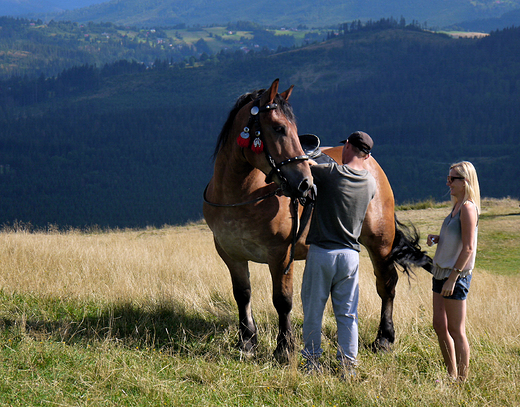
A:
x,y
406,251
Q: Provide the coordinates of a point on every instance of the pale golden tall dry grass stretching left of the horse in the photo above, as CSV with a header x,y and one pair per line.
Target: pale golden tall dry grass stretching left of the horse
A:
x,y
145,265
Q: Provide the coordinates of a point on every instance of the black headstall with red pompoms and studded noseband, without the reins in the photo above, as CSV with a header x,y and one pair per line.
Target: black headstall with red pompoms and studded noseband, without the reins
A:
x,y
259,144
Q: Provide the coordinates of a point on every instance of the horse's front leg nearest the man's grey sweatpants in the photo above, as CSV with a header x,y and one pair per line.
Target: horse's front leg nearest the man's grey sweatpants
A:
x,y
282,300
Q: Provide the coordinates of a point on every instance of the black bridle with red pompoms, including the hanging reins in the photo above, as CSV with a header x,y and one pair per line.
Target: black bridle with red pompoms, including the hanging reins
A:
x,y
258,145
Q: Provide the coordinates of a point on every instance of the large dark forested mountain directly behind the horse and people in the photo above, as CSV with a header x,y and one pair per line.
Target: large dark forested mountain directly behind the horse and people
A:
x,y
121,145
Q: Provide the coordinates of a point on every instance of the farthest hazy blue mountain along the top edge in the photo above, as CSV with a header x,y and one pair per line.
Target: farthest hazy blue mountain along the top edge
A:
x,y
160,13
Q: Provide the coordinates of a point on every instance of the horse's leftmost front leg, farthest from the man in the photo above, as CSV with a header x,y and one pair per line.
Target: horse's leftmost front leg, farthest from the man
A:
x,y
239,271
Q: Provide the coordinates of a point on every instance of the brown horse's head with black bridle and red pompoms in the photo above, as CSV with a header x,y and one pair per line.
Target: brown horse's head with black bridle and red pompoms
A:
x,y
265,130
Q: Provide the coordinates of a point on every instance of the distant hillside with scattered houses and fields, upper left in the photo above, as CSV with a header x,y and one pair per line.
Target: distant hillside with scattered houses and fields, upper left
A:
x,y
34,48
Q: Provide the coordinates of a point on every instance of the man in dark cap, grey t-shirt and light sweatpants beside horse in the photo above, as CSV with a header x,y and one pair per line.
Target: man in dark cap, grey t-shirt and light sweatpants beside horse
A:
x,y
343,194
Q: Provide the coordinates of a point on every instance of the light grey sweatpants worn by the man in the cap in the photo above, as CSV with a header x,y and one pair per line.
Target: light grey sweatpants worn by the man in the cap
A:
x,y
334,273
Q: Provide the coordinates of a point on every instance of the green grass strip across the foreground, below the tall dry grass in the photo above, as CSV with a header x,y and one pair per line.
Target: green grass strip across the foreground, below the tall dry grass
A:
x,y
196,367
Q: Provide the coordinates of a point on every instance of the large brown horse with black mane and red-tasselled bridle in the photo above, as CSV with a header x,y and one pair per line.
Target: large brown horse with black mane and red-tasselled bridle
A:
x,y
260,170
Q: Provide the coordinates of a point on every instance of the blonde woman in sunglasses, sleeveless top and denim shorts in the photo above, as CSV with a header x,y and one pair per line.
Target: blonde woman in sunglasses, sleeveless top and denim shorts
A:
x,y
453,265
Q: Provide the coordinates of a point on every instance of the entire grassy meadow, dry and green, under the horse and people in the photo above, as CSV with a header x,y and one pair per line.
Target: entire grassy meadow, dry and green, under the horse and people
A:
x,y
147,317
